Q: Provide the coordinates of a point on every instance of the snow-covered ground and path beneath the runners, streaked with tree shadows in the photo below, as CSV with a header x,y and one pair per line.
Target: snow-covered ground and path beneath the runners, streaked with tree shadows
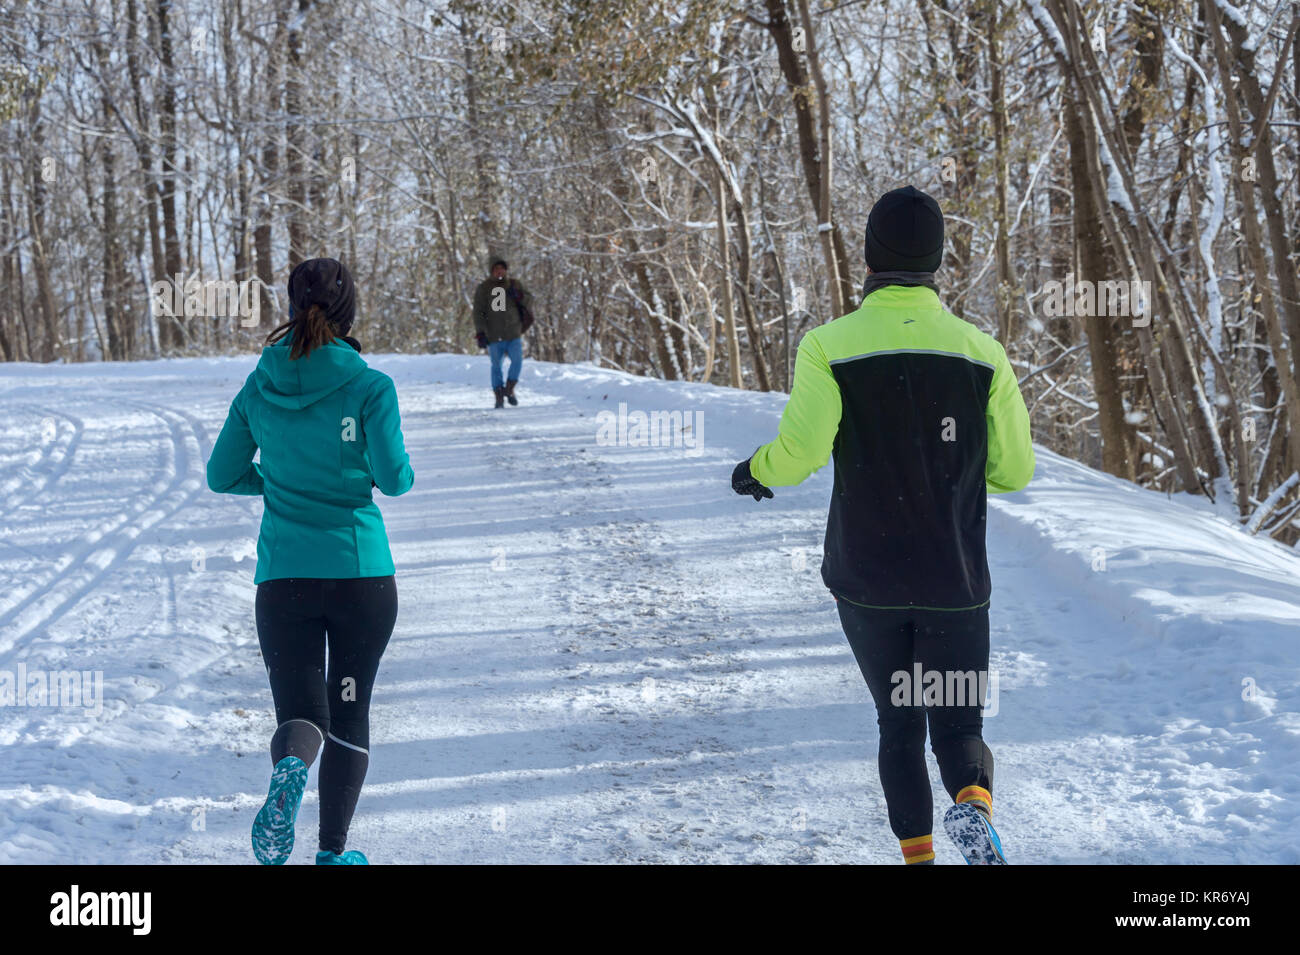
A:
x,y
604,654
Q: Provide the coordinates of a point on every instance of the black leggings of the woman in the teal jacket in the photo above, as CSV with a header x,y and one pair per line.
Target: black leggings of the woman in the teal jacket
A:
x,y
297,620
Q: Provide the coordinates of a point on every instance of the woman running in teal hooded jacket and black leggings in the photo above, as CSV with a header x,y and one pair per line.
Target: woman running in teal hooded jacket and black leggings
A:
x,y
330,433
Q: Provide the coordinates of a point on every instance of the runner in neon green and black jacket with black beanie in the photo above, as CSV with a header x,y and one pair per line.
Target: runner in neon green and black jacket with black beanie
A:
x,y
924,416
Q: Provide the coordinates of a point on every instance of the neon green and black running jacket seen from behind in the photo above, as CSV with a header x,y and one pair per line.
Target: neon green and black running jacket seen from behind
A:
x,y
925,418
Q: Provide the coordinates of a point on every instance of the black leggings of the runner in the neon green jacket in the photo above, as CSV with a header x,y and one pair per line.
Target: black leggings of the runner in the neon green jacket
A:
x,y
954,644
